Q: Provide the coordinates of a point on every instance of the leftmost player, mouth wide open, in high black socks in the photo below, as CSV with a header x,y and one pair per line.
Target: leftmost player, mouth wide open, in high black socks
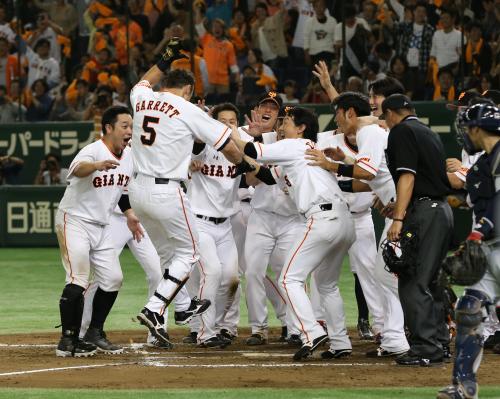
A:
x,y
97,178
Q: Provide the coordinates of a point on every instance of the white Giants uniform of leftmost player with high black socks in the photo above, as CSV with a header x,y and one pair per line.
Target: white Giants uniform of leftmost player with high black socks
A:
x,y
82,220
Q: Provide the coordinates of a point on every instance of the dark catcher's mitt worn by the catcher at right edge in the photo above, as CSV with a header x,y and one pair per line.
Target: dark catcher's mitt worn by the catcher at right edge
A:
x,y
467,265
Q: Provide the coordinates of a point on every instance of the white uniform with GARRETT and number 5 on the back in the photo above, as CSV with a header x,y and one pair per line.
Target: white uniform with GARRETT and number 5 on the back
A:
x,y
165,126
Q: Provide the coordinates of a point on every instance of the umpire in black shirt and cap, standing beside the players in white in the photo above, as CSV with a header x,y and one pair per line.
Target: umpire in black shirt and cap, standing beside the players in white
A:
x,y
417,162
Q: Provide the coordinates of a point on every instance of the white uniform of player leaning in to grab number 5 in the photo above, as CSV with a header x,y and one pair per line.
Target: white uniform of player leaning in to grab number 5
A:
x,y
328,232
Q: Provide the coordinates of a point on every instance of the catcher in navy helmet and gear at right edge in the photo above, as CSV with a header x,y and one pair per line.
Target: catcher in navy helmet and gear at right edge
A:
x,y
479,257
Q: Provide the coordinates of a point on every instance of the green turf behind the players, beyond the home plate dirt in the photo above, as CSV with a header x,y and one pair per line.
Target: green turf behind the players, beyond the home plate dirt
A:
x,y
33,278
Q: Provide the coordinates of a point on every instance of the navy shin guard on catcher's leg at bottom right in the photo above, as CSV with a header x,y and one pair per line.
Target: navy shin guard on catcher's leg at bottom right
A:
x,y
469,342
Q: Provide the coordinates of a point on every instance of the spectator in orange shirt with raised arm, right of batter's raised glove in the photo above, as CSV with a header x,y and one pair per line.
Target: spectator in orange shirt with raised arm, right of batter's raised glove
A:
x,y
220,58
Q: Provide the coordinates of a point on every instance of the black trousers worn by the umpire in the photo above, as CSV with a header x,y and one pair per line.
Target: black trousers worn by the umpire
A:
x,y
420,297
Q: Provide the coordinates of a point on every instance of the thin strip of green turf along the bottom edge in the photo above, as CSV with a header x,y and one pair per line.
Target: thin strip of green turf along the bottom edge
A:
x,y
244,393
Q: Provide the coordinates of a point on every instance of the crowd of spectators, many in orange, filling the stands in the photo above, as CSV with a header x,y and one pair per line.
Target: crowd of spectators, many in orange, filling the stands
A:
x,y
68,60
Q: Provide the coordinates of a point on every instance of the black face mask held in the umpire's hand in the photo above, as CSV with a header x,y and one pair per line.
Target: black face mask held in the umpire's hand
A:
x,y
400,257
